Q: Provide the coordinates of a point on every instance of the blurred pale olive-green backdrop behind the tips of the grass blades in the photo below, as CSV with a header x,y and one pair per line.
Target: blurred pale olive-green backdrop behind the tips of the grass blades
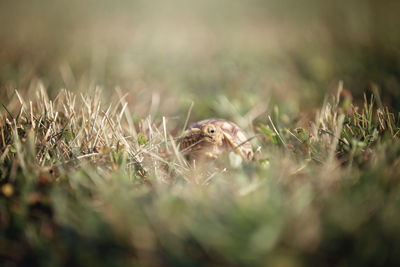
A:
x,y
176,52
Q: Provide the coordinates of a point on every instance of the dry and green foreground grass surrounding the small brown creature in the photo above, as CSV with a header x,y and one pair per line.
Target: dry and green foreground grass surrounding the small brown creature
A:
x,y
84,183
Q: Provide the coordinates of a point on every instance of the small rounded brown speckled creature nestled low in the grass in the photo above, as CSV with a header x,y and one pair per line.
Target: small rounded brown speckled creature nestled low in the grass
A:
x,y
212,137
